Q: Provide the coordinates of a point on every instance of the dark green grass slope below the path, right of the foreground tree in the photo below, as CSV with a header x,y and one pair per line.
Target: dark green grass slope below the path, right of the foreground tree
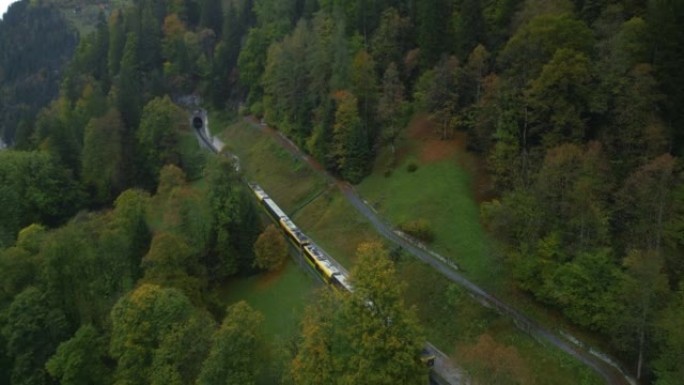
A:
x,y
453,320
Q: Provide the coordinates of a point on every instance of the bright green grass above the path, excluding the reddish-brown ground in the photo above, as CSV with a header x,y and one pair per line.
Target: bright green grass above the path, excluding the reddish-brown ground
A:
x,y
441,193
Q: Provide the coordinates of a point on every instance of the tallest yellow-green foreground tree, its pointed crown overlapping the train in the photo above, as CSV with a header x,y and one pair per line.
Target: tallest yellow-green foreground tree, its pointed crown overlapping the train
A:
x,y
383,336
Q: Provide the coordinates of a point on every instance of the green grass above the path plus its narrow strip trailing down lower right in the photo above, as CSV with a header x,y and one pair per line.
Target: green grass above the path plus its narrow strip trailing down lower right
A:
x,y
442,193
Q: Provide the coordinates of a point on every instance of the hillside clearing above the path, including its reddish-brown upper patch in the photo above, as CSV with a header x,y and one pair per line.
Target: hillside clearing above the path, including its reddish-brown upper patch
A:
x,y
433,180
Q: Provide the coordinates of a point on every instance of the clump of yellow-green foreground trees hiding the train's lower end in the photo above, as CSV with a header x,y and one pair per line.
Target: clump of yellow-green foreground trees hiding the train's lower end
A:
x,y
348,341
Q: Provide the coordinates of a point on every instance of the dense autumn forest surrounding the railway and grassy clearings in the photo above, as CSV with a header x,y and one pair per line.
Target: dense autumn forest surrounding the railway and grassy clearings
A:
x,y
574,104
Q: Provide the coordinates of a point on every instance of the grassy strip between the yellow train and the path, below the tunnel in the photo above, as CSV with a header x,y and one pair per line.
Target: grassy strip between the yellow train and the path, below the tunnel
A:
x,y
320,210
